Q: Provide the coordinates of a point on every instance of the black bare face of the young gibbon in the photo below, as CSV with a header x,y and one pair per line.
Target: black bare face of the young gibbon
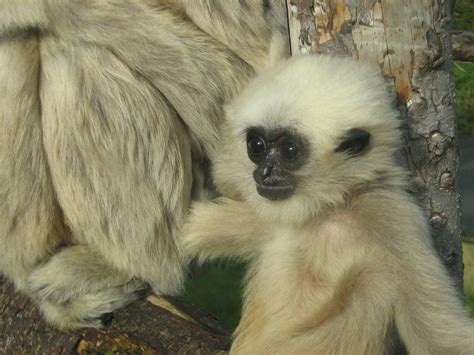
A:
x,y
278,154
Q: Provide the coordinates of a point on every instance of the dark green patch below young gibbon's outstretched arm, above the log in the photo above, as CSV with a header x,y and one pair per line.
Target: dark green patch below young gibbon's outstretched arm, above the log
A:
x,y
218,290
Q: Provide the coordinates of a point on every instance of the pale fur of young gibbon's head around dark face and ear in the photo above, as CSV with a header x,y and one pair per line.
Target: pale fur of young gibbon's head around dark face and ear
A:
x,y
321,97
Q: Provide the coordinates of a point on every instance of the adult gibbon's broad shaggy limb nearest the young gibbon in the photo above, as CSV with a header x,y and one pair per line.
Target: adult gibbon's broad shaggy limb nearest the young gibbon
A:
x,y
120,161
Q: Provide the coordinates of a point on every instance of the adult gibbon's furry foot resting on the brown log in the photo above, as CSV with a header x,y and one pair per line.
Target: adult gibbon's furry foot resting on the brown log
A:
x,y
76,288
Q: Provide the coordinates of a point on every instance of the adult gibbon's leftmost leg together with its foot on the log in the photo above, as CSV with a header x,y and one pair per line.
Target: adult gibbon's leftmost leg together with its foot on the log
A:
x,y
73,287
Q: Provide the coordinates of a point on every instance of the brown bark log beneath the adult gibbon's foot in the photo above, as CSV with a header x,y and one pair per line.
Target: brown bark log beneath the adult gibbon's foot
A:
x,y
155,325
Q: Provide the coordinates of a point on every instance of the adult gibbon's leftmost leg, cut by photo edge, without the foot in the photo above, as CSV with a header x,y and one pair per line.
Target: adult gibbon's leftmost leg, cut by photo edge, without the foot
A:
x,y
30,218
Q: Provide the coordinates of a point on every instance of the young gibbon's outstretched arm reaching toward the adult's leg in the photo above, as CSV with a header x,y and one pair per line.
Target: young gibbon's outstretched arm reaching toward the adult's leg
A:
x,y
223,228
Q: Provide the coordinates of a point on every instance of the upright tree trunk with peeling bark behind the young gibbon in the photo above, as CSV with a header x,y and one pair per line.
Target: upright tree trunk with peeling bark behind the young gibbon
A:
x,y
409,42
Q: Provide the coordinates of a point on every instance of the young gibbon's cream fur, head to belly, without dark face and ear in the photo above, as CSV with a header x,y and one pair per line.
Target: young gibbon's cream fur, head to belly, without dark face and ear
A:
x,y
347,261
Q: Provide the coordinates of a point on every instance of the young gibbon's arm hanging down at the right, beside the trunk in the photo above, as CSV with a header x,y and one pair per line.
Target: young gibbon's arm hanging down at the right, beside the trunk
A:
x,y
428,310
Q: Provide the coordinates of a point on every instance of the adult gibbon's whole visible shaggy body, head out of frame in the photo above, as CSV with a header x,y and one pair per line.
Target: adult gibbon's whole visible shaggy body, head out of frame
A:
x,y
107,109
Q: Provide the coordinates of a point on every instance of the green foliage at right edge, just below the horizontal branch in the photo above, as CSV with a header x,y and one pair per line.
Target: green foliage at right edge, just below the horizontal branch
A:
x,y
464,80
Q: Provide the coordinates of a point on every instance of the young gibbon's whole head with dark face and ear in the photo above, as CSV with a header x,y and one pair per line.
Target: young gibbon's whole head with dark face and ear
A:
x,y
305,135
